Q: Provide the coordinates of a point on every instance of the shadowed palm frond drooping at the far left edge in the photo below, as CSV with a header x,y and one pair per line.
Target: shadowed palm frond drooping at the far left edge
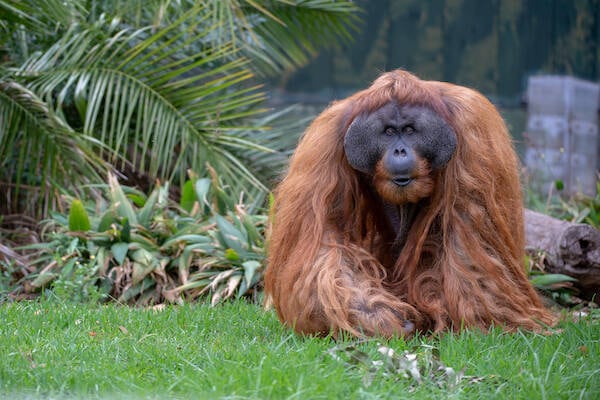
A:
x,y
39,153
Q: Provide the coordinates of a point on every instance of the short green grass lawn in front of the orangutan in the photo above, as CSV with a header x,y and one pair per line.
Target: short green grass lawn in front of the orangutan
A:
x,y
237,350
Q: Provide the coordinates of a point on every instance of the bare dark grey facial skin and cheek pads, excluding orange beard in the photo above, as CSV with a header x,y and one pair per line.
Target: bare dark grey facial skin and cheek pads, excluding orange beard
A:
x,y
399,135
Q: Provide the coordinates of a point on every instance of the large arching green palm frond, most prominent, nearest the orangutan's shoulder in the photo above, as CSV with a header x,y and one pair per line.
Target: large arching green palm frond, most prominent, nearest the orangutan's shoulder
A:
x,y
165,111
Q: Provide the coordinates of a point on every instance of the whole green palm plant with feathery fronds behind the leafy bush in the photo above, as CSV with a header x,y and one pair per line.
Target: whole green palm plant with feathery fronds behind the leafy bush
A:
x,y
149,88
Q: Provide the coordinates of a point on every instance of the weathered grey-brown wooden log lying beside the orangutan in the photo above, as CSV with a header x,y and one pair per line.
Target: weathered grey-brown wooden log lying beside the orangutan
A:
x,y
571,249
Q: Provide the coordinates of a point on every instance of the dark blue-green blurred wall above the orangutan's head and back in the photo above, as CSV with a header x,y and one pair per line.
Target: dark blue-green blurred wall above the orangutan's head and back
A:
x,y
490,45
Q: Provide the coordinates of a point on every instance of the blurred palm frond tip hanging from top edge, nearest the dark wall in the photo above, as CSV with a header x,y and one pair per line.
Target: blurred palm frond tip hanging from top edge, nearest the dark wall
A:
x,y
282,35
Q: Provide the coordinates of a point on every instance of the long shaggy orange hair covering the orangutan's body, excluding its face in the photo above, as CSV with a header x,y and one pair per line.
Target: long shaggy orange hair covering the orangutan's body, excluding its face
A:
x,y
331,263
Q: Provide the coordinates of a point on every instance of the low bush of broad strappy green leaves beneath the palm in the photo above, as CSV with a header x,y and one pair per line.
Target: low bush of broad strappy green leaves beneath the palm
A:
x,y
148,249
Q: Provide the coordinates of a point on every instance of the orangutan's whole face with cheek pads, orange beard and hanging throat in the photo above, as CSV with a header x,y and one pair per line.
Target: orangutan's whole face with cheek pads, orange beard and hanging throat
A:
x,y
399,144
